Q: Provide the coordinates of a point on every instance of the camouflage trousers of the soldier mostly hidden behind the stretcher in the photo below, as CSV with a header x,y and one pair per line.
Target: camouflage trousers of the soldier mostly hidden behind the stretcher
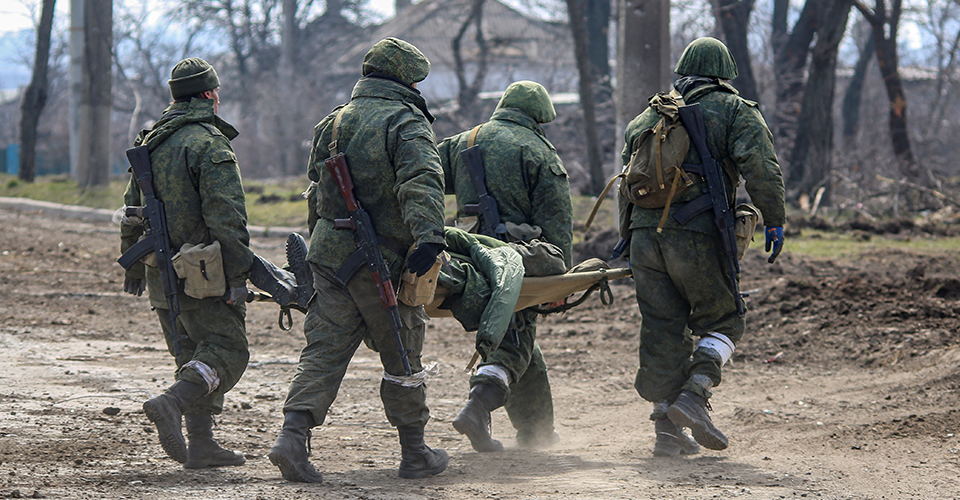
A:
x,y
529,399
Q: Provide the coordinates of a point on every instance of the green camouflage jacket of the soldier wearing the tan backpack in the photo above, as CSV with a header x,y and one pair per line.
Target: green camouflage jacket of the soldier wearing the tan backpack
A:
x,y
738,138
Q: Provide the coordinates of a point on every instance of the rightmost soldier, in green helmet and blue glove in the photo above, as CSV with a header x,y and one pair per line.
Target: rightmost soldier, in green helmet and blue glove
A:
x,y
681,279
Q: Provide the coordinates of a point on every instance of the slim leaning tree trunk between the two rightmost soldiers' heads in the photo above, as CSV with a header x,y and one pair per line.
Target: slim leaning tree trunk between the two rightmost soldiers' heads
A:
x,y
575,10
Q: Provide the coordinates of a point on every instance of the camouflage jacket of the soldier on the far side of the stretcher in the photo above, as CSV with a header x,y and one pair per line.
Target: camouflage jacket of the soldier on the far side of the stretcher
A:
x,y
523,173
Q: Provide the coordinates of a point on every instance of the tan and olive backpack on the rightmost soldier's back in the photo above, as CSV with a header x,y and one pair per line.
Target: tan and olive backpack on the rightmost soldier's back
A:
x,y
652,178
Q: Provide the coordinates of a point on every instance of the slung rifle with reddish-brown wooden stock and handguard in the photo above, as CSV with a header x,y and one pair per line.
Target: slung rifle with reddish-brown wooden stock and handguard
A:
x,y
368,243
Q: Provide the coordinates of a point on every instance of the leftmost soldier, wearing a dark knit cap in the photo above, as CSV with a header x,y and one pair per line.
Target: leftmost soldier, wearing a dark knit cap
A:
x,y
196,175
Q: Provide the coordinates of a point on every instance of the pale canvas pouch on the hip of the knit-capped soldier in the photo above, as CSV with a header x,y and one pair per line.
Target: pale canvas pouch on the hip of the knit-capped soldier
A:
x,y
201,268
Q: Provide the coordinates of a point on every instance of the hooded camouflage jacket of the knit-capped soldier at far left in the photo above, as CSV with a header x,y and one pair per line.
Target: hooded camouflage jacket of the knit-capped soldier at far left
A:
x,y
195,175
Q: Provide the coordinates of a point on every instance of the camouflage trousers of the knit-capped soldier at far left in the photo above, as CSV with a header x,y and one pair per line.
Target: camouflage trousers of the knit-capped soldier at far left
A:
x,y
216,335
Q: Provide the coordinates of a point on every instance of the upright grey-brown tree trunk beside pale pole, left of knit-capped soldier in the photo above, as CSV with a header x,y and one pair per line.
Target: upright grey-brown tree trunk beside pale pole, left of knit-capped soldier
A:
x,y
93,169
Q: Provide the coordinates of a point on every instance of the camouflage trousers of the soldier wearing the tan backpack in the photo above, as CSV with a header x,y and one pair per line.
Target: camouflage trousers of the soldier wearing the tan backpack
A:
x,y
683,292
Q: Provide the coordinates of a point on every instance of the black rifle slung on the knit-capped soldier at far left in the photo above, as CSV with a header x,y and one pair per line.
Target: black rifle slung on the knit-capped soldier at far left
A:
x,y
156,239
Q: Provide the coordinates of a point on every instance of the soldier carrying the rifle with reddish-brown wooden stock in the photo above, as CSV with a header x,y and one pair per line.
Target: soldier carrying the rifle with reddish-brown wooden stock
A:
x,y
385,132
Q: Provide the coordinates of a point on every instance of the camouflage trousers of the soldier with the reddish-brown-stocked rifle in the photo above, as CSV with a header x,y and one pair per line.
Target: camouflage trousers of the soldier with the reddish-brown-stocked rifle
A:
x,y
338,320
